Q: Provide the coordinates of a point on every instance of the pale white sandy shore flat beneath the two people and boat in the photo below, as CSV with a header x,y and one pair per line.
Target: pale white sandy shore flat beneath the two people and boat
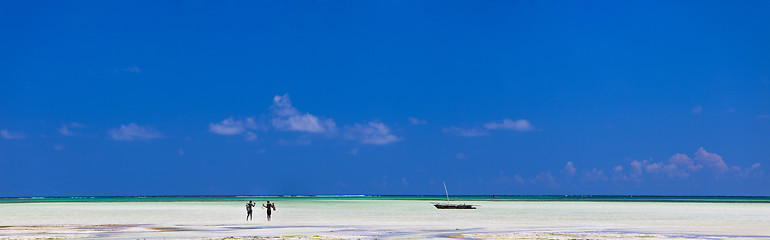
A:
x,y
369,219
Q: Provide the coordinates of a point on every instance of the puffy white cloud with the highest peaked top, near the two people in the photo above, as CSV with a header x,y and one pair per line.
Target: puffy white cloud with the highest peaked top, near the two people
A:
x,y
288,118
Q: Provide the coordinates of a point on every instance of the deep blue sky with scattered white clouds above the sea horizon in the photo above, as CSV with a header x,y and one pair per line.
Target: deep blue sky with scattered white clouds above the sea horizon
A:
x,y
384,97
